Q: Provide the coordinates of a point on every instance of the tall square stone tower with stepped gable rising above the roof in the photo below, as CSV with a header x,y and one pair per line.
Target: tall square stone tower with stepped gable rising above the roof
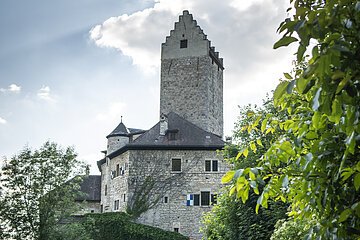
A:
x,y
192,76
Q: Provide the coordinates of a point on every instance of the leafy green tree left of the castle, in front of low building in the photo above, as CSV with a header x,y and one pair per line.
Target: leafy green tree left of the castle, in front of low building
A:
x,y
37,193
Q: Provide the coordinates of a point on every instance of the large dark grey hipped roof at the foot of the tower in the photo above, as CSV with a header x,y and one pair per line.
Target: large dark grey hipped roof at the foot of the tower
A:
x,y
188,136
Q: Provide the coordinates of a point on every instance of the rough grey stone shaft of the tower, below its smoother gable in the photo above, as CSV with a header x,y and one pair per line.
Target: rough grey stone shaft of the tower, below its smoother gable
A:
x,y
193,88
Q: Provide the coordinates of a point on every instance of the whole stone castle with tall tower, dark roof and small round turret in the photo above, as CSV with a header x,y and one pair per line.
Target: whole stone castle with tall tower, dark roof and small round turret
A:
x,y
169,176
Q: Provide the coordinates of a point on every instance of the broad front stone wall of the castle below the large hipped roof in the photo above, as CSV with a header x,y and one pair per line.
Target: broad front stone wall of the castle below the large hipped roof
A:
x,y
176,186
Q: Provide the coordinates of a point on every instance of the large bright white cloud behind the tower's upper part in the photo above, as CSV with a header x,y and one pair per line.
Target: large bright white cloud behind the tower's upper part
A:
x,y
242,31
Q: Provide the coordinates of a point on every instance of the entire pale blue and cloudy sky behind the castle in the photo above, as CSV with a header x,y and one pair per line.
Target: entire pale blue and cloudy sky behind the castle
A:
x,y
70,69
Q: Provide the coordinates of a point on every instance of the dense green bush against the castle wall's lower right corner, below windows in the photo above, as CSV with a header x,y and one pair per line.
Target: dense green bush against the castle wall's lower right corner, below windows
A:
x,y
231,219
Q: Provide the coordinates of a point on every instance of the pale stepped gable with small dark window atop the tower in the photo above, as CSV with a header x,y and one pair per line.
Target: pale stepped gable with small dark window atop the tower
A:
x,y
188,29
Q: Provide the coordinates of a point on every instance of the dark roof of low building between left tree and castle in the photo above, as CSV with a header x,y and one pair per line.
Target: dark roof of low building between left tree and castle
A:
x,y
91,186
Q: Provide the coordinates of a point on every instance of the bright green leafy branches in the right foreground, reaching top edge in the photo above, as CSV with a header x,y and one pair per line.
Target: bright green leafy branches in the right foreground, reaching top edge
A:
x,y
315,164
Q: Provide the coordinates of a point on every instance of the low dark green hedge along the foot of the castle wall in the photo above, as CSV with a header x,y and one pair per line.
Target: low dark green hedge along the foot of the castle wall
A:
x,y
119,226
